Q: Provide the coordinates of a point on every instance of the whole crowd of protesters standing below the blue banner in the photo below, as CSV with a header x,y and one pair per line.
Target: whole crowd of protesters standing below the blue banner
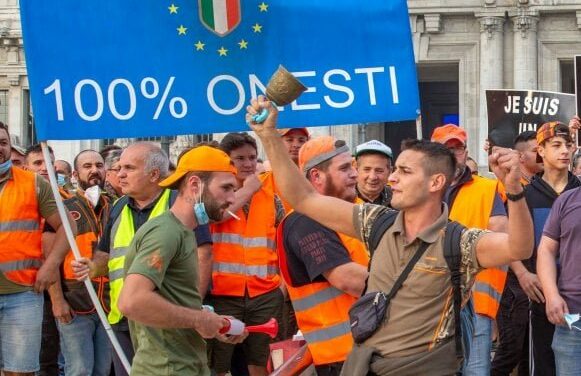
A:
x,y
447,266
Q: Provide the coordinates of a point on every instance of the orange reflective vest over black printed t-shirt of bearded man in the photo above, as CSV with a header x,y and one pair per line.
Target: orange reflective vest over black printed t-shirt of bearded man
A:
x,y
322,310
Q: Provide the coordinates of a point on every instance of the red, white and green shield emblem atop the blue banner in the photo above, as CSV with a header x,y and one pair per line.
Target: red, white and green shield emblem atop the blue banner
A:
x,y
220,16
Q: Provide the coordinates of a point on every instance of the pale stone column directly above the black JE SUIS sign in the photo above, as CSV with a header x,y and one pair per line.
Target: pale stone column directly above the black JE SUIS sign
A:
x,y
525,50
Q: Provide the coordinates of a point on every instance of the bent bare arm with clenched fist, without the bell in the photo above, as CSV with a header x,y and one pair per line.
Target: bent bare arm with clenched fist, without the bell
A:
x,y
495,248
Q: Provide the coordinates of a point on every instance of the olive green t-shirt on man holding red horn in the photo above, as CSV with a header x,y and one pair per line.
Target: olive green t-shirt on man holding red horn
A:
x,y
164,251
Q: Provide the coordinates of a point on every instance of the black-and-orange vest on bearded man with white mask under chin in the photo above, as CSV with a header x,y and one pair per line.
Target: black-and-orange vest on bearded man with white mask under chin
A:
x,y
89,229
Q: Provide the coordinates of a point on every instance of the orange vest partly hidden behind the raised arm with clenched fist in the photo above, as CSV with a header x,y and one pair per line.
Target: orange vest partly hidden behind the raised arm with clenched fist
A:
x,y
472,208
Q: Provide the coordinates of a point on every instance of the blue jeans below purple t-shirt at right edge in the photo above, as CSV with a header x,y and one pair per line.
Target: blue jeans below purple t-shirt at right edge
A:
x,y
567,350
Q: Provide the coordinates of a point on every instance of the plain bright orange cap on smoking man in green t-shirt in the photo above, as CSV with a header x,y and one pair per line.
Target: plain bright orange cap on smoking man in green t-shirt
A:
x,y
202,158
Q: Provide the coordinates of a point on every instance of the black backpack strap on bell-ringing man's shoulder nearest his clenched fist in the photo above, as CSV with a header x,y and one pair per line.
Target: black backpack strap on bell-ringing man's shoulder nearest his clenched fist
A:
x,y
453,257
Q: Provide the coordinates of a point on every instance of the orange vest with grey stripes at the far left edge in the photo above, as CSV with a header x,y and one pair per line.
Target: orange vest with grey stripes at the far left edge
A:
x,y
20,229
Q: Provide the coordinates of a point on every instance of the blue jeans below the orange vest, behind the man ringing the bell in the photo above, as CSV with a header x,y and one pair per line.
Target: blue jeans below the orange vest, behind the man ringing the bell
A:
x,y
479,361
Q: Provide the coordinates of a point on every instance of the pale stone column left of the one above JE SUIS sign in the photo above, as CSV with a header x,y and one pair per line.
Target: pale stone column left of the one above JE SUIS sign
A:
x,y
491,76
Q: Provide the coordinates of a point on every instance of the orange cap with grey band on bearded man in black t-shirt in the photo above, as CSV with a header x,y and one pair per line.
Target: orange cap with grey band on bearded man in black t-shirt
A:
x,y
319,150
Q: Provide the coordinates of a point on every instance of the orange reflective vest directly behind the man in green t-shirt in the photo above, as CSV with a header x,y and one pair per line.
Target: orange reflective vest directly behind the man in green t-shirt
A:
x,y
245,258
